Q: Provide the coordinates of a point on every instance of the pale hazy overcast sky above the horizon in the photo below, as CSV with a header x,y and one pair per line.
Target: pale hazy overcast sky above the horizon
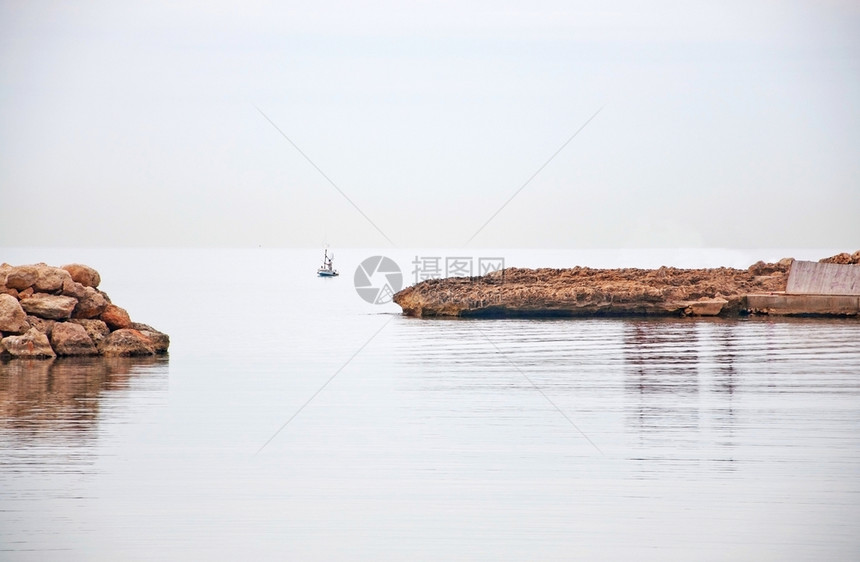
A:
x,y
723,124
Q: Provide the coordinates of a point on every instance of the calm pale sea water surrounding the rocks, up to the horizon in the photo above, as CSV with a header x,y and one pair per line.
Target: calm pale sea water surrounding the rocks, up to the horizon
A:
x,y
293,420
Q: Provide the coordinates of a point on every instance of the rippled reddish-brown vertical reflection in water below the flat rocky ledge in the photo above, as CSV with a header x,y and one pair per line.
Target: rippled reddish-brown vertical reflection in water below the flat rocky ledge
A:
x,y
680,378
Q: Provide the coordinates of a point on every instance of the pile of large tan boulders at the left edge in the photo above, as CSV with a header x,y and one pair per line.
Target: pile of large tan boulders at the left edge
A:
x,y
49,311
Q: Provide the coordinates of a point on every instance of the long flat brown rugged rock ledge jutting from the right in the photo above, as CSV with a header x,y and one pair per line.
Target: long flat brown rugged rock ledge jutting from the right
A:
x,y
583,291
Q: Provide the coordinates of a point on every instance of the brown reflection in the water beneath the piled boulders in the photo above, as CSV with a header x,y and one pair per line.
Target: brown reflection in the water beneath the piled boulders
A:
x,y
62,396
